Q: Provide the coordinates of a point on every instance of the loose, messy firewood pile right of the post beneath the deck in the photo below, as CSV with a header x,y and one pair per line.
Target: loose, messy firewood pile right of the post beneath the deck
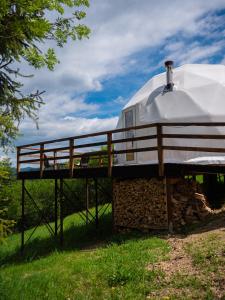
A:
x,y
189,204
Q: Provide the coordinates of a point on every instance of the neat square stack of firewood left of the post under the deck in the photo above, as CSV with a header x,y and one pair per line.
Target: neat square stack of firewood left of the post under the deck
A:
x,y
140,203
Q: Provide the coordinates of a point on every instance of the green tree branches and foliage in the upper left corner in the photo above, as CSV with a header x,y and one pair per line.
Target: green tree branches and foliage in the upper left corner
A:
x,y
24,26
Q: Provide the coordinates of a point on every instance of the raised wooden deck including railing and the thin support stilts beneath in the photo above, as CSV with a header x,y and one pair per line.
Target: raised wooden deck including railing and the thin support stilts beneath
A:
x,y
94,156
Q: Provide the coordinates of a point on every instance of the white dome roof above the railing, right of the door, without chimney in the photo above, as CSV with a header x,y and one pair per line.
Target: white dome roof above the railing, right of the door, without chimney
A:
x,y
198,95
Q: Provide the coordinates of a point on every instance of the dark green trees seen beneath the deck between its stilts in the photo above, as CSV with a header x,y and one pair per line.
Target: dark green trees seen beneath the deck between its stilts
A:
x,y
43,193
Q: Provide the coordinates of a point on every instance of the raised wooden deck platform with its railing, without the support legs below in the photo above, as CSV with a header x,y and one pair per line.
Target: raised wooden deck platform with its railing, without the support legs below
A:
x,y
62,157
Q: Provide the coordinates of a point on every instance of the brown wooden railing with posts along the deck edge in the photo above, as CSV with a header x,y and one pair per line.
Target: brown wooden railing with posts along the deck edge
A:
x,y
37,152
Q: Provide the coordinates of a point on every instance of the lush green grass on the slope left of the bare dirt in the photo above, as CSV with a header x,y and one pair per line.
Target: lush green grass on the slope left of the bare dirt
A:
x,y
92,265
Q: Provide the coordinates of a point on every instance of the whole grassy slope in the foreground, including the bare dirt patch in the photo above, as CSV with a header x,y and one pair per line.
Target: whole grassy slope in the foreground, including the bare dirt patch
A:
x,y
99,265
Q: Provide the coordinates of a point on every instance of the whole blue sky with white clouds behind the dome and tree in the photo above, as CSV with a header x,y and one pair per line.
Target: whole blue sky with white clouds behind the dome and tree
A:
x,y
129,42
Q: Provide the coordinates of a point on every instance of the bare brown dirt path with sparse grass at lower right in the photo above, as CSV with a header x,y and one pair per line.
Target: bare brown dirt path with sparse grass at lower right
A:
x,y
195,268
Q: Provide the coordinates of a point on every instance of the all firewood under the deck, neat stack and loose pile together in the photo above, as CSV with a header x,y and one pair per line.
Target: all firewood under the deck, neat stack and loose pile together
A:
x,y
143,203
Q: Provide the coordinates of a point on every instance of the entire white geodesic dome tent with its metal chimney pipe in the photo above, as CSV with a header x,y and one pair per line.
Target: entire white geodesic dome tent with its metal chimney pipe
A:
x,y
192,93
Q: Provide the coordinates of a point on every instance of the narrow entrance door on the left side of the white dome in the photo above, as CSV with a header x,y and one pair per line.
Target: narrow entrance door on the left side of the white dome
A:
x,y
129,119
